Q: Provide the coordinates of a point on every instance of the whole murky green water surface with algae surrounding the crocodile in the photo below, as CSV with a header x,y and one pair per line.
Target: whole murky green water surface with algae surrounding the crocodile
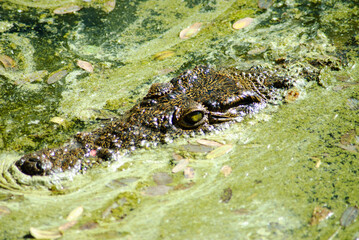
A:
x,y
292,169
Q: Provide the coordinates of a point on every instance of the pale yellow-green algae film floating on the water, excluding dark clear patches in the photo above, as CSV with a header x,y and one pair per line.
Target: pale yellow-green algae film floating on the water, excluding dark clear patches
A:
x,y
274,181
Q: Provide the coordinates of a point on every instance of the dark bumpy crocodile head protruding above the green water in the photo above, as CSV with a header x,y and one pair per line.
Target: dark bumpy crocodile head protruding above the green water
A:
x,y
197,101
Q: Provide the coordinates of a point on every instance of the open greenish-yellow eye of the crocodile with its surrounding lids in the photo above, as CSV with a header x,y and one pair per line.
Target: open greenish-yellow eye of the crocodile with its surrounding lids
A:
x,y
191,117
